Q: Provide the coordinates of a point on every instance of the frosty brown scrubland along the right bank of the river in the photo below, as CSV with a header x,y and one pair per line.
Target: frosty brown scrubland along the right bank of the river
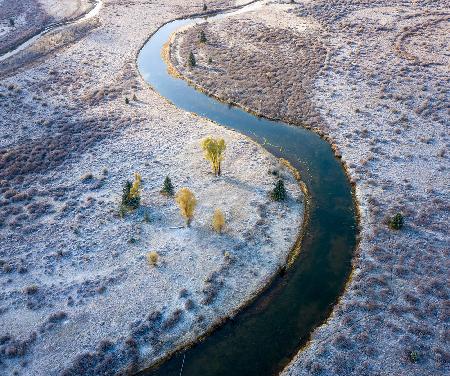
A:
x,y
373,77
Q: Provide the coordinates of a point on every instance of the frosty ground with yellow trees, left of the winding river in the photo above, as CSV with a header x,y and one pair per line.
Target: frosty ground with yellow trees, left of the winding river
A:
x,y
77,293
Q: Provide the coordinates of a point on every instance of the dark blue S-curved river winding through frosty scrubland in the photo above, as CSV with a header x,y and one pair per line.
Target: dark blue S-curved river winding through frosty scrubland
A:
x,y
264,337
